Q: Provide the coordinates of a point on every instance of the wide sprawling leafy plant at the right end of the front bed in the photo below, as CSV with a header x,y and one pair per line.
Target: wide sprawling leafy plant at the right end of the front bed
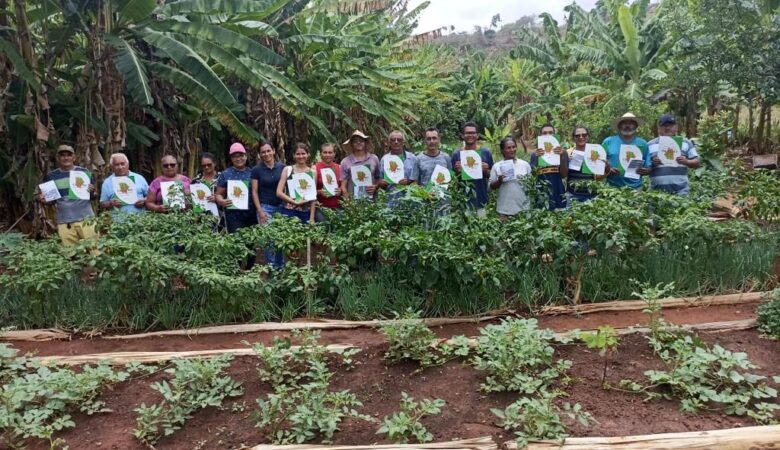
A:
x,y
706,377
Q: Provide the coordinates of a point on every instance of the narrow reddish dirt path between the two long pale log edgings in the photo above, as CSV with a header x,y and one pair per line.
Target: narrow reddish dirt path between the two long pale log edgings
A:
x,y
366,336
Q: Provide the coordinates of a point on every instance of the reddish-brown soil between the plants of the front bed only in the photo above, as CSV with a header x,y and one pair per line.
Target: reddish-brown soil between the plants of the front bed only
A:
x,y
467,413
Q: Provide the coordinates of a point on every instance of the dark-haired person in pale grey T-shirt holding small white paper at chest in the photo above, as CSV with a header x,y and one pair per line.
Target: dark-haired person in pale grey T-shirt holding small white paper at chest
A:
x,y
506,177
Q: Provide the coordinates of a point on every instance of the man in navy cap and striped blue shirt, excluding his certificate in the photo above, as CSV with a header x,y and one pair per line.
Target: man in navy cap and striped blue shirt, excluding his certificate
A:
x,y
672,179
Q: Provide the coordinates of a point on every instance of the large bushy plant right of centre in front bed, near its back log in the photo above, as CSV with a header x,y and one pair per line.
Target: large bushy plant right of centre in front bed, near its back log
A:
x,y
519,357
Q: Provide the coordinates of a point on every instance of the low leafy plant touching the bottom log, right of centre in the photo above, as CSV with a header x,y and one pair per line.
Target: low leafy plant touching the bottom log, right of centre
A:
x,y
539,418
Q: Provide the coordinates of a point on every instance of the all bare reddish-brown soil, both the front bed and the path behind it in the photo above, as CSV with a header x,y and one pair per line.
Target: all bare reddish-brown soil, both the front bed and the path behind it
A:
x,y
379,386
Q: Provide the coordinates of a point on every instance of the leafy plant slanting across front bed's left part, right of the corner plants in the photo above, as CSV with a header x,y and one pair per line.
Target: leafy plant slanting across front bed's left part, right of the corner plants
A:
x,y
195,384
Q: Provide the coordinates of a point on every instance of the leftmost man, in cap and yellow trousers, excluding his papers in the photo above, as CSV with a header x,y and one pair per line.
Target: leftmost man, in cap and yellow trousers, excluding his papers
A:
x,y
70,212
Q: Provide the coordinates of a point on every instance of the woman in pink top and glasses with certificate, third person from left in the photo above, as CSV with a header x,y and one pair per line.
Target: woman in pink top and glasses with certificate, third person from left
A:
x,y
176,186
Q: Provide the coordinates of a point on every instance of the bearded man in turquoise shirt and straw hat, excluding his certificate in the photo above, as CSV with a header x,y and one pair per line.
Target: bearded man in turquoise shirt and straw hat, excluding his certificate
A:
x,y
626,126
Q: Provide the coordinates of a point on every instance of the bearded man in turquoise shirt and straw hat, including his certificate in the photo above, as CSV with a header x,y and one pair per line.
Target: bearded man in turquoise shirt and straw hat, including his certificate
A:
x,y
624,147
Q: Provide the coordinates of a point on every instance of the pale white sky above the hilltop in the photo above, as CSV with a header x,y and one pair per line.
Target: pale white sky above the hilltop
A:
x,y
465,14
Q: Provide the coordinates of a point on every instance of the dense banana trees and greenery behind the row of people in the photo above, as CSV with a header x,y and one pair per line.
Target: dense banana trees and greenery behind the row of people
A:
x,y
191,75
